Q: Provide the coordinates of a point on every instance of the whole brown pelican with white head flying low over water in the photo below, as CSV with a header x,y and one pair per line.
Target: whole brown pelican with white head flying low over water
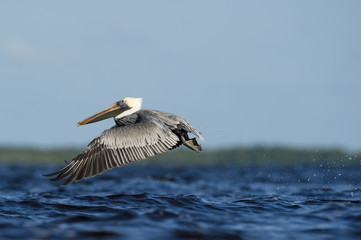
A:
x,y
137,134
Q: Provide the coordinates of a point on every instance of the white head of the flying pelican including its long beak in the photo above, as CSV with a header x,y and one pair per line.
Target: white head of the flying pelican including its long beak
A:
x,y
123,107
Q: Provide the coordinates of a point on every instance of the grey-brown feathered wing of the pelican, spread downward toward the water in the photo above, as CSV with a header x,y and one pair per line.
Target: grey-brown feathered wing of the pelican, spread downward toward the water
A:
x,y
116,147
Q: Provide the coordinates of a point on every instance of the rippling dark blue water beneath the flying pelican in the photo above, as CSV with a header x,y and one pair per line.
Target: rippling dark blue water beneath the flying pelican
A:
x,y
153,202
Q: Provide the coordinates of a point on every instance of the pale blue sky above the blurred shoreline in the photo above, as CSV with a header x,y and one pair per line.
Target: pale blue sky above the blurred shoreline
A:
x,y
242,72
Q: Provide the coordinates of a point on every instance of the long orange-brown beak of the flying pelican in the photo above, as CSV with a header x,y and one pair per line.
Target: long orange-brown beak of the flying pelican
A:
x,y
111,111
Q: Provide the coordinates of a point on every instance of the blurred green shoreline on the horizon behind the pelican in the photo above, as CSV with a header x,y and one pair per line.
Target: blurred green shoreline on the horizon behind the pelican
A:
x,y
236,155
